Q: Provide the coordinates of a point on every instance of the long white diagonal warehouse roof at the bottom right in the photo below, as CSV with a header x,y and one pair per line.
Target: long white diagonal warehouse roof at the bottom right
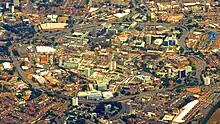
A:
x,y
186,110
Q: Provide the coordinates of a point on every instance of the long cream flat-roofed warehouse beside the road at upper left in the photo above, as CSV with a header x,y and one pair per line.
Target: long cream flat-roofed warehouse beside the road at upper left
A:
x,y
49,26
